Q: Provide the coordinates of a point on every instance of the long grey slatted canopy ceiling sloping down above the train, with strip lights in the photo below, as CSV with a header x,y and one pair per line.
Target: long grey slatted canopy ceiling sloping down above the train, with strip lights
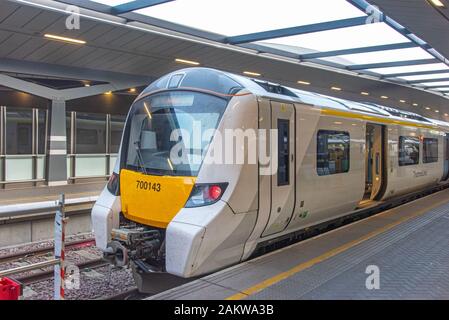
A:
x,y
113,48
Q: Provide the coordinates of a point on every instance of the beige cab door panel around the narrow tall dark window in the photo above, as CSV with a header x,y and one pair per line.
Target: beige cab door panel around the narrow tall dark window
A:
x,y
284,179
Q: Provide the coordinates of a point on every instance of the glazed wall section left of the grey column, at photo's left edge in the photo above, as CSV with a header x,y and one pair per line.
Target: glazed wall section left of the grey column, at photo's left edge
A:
x,y
24,133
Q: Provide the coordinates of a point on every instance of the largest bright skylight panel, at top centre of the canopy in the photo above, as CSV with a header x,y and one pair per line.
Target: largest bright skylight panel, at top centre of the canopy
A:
x,y
237,17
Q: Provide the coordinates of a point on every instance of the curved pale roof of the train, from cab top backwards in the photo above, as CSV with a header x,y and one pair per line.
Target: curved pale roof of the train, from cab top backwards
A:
x,y
228,83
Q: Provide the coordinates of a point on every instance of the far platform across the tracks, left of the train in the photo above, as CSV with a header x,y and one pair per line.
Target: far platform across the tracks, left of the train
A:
x,y
23,228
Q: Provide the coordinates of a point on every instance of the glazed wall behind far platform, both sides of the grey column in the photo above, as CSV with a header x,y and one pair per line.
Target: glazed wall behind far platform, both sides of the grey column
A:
x,y
93,141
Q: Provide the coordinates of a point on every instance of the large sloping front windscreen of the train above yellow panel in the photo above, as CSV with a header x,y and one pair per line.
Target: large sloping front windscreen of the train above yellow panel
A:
x,y
169,133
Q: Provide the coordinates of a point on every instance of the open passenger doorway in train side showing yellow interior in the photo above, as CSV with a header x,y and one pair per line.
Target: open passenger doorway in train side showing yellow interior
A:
x,y
374,159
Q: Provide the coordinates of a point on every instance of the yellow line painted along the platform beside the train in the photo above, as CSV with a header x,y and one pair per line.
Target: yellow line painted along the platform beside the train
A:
x,y
305,265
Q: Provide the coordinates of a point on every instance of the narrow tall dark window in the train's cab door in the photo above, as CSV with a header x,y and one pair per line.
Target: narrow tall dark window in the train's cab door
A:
x,y
283,152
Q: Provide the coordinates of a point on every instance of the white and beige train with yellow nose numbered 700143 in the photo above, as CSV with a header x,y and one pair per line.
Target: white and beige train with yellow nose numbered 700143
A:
x,y
327,158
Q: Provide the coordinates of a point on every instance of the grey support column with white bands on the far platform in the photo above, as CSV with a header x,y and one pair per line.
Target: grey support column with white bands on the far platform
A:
x,y
57,142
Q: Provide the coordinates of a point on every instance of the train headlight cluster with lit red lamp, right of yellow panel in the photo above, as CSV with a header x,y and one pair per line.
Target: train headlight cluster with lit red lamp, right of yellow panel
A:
x,y
206,194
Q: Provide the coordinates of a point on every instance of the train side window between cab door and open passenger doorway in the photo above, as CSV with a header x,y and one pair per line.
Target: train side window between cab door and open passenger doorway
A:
x,y
332,152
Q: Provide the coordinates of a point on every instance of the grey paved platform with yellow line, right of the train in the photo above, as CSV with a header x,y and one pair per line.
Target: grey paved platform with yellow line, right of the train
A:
x,y
407,245
